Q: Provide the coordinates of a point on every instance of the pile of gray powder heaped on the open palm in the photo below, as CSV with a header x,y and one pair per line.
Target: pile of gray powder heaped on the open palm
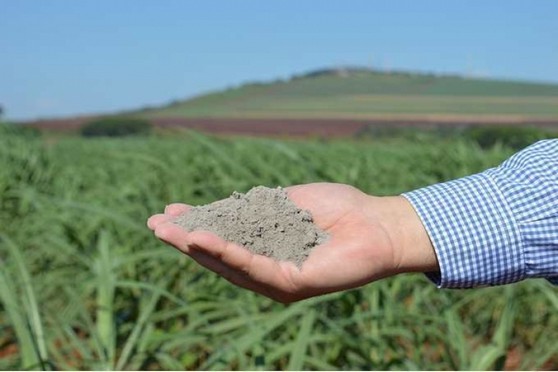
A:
x,y
264,220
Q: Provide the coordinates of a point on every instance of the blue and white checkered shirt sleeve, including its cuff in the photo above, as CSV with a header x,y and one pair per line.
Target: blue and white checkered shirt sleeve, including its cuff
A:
x,y
496,227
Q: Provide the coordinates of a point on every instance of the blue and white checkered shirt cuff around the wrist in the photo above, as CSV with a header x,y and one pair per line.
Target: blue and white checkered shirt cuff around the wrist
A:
x,y
475,236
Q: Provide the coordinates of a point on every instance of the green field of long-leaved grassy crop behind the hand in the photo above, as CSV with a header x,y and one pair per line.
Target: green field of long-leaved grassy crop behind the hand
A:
x,y
84,285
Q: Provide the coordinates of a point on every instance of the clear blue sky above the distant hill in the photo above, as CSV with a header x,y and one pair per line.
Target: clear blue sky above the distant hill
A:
x,y
66,57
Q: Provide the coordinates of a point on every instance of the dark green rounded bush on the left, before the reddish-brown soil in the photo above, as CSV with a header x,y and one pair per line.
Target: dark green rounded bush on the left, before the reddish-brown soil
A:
x,y
117,126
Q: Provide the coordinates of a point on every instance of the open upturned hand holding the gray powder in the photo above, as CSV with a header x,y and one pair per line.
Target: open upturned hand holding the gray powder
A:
x,y
370,238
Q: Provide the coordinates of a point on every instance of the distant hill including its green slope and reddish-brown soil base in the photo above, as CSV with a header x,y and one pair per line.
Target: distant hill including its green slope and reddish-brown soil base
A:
x,y
348,101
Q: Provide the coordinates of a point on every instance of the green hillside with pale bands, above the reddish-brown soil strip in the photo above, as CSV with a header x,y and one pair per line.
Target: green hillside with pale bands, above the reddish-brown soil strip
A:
x,y
361,93
